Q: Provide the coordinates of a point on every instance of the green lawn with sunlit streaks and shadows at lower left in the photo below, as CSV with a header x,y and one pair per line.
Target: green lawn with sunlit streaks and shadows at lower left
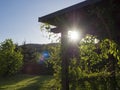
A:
x,y
25,82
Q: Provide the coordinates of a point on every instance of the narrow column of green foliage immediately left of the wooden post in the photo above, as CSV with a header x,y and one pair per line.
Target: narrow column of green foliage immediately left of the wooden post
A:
x,y
56,63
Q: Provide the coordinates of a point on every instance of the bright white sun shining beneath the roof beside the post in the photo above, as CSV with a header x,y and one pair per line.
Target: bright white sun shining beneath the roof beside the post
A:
x,y
73,35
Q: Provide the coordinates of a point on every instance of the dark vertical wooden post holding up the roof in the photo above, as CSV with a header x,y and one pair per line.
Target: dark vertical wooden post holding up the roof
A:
x,y
65,61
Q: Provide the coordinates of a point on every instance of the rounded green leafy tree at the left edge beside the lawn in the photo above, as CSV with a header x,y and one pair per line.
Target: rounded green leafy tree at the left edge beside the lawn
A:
x,y
10,58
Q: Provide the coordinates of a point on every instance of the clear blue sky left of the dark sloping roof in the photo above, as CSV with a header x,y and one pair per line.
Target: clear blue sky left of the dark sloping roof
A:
x,y
19,19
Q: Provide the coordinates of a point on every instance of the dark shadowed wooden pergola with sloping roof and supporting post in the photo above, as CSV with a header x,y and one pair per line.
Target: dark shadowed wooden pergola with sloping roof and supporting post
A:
x,y
86,16
